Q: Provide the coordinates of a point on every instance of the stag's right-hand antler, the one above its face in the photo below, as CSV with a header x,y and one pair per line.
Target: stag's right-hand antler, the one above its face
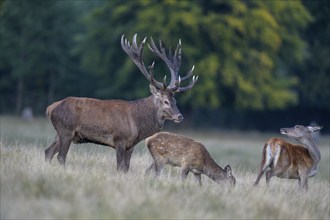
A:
x,y
173,62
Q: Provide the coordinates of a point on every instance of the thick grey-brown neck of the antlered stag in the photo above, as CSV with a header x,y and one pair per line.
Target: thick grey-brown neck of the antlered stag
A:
x,y
145,115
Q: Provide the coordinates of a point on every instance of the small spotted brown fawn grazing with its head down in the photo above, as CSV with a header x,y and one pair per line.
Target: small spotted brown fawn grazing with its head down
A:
x,y
190,155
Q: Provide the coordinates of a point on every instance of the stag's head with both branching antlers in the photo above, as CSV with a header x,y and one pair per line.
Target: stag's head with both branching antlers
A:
x,y
163,94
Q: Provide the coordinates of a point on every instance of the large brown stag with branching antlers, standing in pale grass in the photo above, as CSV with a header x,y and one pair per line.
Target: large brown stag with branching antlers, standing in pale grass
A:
x,y
117,123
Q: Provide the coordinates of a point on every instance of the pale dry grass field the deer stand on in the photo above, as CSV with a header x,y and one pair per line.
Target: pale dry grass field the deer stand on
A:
x,y
90,187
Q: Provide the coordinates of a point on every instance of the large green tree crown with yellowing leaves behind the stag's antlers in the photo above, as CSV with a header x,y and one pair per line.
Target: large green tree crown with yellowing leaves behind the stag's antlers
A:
x,y
237,48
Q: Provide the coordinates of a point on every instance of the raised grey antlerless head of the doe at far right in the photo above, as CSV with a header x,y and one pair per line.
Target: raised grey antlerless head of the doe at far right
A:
x,y
300,132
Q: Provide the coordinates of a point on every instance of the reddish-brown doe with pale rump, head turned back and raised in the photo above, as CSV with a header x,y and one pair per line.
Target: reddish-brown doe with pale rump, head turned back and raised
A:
x,y
286,160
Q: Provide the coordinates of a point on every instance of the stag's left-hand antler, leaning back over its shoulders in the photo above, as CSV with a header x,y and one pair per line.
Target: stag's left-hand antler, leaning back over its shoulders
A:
x,y
135,52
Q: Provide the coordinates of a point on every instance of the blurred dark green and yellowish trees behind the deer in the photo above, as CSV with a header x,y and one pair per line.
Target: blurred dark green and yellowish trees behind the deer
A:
x,y
262,65
